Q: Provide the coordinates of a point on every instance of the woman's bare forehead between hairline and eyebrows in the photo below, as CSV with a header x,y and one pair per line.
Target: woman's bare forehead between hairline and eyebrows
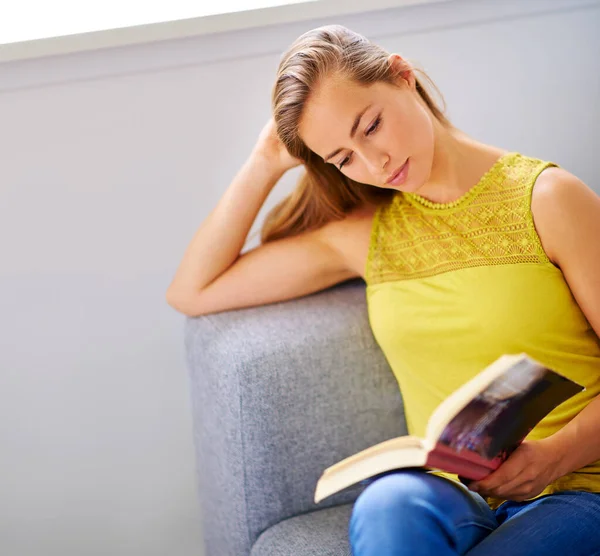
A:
x,y
329,113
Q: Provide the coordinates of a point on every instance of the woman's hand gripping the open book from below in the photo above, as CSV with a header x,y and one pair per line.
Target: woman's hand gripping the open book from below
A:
x,y
525,474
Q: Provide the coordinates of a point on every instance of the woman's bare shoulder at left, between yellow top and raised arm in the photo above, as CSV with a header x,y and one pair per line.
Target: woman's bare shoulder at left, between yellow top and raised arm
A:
x,y
350,237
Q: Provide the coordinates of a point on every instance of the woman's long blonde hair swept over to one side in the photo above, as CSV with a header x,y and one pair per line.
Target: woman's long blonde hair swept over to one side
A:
x,y
323,193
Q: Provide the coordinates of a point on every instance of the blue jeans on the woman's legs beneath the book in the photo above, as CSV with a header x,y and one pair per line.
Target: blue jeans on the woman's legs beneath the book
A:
x,y
419,514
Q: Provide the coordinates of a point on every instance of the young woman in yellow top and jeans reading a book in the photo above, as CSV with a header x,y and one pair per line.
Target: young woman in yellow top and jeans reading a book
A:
x,y
468,252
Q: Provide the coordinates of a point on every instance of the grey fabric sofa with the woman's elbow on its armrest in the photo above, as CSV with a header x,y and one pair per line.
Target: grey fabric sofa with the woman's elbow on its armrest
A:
x,y
279,393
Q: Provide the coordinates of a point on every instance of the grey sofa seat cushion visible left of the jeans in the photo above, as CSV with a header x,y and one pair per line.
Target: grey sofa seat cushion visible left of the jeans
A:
x,y
318,533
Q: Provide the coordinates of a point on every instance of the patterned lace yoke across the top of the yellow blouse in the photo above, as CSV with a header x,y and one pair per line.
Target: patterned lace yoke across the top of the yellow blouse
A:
x,y
490,224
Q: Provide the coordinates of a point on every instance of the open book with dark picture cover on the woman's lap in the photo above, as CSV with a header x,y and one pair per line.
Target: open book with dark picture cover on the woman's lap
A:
x,y
471,432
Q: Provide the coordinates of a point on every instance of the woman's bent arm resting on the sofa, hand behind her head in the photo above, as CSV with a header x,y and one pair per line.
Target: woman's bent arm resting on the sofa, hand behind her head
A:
x,y
214,277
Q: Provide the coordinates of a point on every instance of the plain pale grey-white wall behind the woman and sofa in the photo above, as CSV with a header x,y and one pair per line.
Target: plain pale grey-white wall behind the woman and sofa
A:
x,y
110,160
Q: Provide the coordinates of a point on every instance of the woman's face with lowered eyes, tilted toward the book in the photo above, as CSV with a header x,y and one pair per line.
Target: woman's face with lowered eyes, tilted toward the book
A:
x,y
393,127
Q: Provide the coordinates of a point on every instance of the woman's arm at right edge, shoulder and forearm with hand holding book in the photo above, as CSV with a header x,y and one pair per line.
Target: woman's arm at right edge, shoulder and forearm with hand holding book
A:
x,y
566,214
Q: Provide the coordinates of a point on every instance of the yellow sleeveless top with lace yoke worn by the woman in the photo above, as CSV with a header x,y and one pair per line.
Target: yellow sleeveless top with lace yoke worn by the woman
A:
x,y
453,286
